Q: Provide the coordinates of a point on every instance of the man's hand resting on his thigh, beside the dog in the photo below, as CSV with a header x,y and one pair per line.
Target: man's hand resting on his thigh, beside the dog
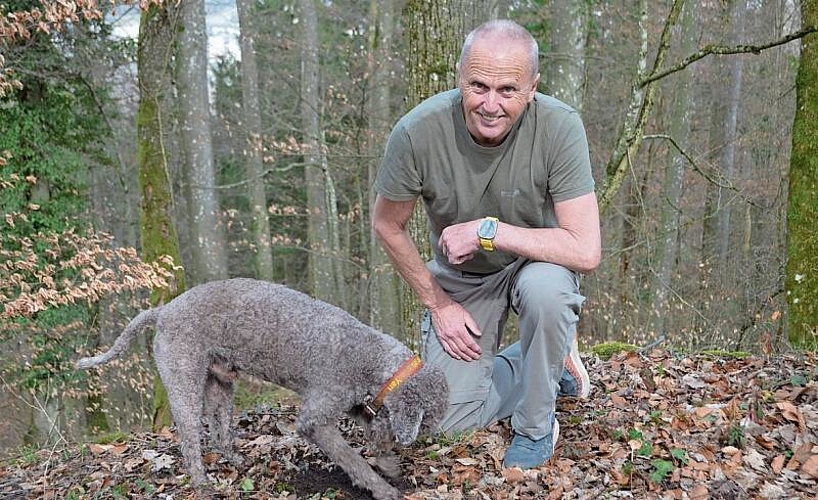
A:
x,y
455,330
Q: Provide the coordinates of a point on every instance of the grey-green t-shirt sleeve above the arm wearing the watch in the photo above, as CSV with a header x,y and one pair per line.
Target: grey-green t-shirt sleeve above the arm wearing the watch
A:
x,y
570,174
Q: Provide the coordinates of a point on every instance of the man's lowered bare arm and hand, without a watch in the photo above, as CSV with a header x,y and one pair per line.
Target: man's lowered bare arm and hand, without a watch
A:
x,y
452,322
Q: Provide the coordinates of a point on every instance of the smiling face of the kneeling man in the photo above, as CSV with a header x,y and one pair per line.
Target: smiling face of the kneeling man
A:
x,y
496,84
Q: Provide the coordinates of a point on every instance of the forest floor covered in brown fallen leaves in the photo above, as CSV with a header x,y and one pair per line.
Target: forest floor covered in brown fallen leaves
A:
x,y
657,425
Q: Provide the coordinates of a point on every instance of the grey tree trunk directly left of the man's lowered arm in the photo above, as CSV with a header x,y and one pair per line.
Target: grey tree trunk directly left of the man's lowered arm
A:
x,y
384,307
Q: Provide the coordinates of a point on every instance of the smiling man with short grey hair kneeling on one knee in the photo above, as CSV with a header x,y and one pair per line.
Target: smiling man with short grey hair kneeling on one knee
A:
x,y
505,176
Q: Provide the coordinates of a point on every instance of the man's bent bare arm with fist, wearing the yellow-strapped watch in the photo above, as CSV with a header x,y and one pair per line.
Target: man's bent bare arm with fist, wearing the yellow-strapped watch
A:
x,y
576,243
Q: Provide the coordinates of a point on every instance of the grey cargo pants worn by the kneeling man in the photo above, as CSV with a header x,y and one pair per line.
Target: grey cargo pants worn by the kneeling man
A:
x,y
522,380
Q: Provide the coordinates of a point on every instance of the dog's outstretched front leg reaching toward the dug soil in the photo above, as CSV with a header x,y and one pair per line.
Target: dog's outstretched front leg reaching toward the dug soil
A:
x,y
322,431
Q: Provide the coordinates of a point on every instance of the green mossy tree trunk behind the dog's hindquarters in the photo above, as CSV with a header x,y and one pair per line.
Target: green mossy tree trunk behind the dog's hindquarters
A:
x,y
157,232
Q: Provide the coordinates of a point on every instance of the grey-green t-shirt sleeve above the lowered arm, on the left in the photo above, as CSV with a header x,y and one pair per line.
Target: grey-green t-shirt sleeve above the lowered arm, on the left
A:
x,y
398,178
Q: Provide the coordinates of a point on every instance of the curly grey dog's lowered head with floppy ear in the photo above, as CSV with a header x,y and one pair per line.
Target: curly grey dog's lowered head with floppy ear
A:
x,y
414,407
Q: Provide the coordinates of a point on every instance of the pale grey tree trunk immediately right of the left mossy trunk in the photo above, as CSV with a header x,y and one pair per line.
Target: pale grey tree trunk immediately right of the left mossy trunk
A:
x,y
209,257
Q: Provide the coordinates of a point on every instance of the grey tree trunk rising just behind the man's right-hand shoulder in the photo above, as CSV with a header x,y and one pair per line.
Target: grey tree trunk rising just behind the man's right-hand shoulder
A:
x,y
565,66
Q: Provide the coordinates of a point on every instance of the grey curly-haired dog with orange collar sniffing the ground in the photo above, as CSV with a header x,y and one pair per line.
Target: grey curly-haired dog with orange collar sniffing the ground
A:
x,y
207,335
